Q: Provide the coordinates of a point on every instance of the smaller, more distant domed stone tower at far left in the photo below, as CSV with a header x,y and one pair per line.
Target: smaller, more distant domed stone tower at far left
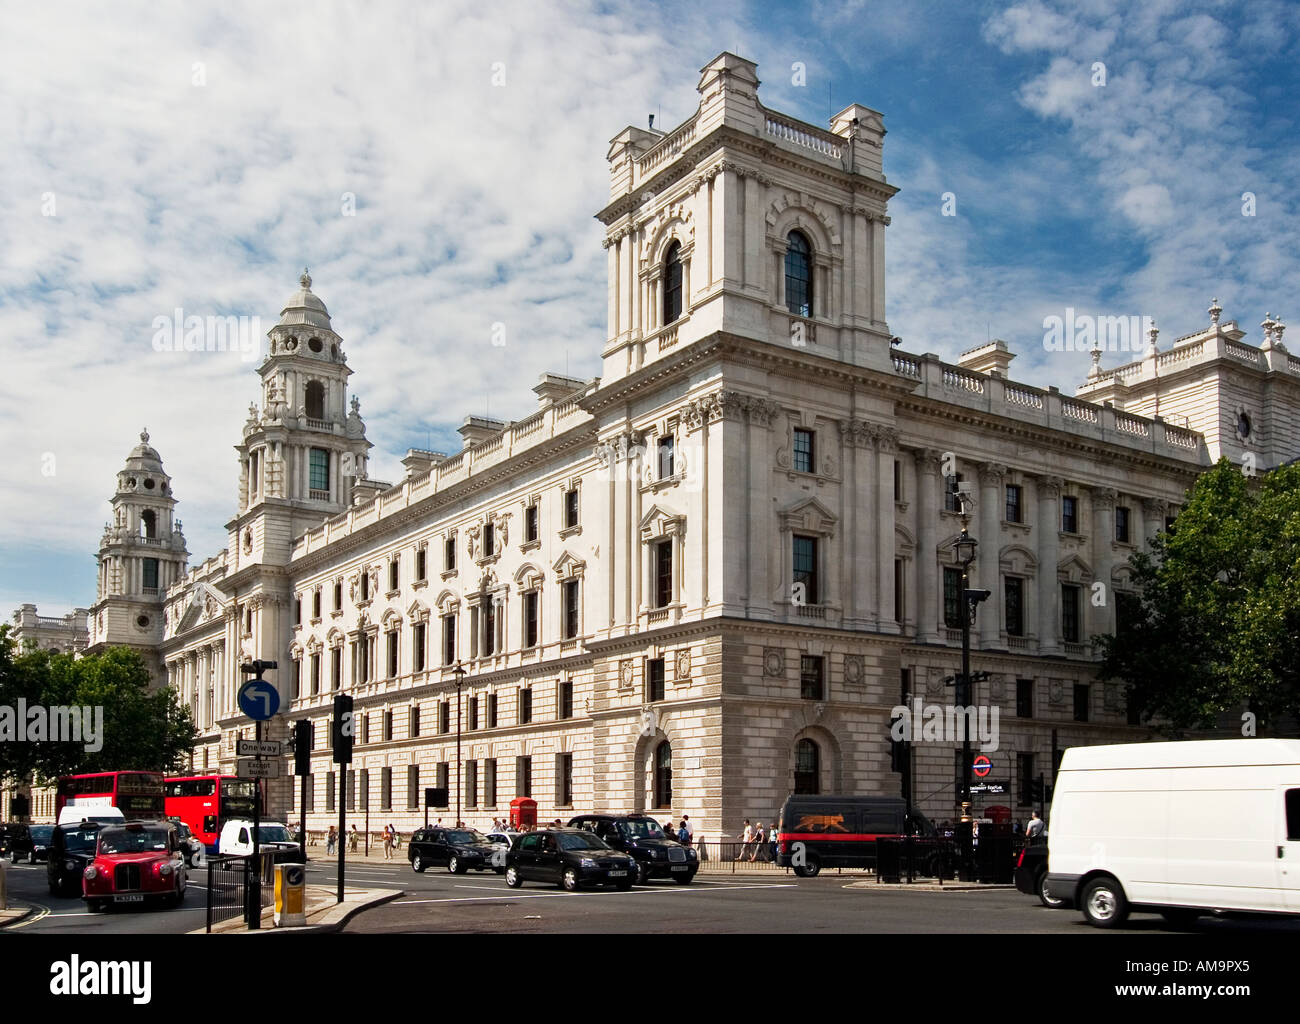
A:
x,y
141,554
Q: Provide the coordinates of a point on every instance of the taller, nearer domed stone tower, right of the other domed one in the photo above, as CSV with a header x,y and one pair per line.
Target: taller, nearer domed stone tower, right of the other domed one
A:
x,y
304,452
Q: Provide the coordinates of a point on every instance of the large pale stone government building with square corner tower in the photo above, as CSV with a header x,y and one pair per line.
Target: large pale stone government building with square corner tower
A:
x,y
703,580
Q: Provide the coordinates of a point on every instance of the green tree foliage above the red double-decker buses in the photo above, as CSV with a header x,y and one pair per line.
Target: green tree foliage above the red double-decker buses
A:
x,y
142,730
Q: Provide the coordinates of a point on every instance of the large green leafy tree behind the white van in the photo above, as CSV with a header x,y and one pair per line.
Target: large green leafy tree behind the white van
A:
x,y
1217,621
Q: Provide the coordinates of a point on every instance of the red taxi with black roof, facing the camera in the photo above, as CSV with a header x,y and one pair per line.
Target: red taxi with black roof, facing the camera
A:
x,y
133,864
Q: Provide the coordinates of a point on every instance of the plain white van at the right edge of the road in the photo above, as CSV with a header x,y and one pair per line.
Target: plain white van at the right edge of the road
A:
x,y
1177,828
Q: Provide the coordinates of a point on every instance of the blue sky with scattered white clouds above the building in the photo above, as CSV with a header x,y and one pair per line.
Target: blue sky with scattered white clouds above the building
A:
x,y
439,168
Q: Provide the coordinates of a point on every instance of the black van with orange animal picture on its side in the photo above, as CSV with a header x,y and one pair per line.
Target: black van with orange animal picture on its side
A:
x,y
840,832
